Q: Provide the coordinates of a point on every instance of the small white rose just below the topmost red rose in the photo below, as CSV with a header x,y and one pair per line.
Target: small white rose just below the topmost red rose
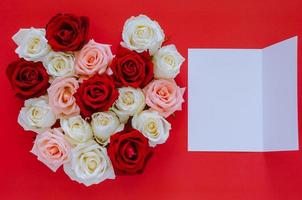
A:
x,y
59,64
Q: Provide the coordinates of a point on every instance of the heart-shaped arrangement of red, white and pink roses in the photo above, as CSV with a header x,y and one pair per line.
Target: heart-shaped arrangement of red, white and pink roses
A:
x,y
97,114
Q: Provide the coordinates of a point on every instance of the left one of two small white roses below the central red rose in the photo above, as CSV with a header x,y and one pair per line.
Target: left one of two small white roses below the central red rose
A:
x,y
76,129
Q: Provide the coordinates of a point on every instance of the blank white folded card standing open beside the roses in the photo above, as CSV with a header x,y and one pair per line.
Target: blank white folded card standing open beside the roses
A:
x,y
243,99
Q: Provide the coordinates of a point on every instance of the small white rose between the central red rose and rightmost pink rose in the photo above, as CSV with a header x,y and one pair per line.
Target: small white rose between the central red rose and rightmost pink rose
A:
x,y
130,102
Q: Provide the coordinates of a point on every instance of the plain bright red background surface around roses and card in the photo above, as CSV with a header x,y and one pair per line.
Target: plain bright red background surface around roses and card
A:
x,y
173,172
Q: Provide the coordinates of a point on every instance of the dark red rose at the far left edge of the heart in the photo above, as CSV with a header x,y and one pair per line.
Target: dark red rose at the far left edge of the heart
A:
x,y
28,79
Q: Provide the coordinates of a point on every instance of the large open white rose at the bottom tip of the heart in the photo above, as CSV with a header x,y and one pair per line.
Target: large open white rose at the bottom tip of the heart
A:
x,y
89,164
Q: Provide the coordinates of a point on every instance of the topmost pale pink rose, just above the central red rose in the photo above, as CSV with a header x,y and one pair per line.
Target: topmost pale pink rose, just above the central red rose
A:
x,y
92,58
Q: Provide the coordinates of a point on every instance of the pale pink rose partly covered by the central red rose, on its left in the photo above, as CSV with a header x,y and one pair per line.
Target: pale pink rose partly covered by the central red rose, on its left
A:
x,y
61,98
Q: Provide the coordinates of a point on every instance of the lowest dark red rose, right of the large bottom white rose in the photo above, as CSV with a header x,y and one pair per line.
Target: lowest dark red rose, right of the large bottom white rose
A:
x,y
129,152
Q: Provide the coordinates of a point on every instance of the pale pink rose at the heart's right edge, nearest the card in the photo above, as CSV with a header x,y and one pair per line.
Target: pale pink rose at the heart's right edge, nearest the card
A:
x,y
164,96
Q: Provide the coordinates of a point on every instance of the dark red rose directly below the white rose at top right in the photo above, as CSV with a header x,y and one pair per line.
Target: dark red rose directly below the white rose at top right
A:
x,y
131,68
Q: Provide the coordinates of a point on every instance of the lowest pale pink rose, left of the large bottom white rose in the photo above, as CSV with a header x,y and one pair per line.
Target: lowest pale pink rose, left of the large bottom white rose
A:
x,y
51,148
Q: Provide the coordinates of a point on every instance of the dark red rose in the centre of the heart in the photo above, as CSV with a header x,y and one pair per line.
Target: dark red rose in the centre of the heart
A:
x,y
98,93
